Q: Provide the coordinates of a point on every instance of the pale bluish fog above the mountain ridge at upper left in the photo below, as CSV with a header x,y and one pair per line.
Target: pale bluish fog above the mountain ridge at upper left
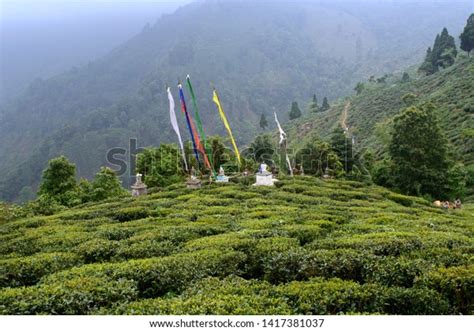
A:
x,y
40,39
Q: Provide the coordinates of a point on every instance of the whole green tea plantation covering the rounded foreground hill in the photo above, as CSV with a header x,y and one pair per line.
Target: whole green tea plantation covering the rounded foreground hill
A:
x,y
306,246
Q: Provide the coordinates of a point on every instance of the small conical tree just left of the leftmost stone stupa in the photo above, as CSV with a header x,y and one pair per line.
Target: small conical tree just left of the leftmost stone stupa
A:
x,y
106,185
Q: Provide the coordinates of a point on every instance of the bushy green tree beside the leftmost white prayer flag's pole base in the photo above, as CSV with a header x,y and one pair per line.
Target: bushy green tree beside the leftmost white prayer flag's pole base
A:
x,y
160,166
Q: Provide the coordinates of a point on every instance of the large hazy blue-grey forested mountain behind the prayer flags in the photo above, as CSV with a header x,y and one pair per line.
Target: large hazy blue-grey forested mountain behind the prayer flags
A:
x,y
260,56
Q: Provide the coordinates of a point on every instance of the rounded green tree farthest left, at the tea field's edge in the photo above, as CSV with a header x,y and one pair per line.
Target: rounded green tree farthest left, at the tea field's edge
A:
x,y
59,178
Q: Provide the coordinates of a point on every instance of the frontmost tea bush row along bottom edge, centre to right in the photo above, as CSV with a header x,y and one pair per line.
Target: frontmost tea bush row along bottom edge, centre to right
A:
x,y
236,296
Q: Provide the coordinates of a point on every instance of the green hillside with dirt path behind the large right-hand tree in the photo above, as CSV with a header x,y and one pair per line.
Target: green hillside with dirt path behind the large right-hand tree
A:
x,y
368,114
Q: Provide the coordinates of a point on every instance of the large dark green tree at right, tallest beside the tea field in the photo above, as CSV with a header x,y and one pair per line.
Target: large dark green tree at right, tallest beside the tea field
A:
x,y
419,152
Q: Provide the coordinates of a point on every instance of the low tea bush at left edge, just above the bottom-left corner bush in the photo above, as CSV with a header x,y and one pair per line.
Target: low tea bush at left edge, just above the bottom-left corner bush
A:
x,y
29,270
